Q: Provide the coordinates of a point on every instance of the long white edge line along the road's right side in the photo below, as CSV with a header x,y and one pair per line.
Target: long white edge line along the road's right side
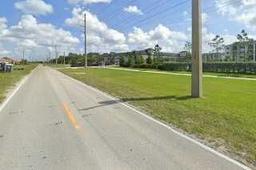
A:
x,y
166,126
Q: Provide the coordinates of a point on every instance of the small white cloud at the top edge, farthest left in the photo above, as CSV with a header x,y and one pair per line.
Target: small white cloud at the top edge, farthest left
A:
x,y
34,7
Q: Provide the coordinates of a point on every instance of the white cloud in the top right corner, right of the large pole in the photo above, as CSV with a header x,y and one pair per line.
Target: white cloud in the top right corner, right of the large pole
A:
x,y
242,11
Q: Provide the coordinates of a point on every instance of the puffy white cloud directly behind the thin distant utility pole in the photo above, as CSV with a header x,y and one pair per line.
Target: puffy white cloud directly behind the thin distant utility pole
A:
x,y
100,37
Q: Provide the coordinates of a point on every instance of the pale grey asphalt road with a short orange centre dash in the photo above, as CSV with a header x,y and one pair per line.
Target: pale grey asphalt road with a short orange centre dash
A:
x,y
56,123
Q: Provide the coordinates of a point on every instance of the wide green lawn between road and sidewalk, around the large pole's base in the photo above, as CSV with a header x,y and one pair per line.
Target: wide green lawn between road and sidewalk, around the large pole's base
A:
x,y
225,117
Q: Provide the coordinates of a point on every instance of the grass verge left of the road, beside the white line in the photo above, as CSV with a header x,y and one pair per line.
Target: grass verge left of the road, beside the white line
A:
x,y
8,80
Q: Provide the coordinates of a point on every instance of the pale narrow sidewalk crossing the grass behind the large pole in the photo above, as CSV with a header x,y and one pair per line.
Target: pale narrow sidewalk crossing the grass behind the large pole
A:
x,y
181,74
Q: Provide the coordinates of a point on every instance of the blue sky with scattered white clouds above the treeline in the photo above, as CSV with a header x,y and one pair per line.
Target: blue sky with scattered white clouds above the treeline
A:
x,y
42,27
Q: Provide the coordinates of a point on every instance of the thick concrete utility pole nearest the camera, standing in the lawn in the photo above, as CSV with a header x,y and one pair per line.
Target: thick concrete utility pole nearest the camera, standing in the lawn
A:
x,y
197,65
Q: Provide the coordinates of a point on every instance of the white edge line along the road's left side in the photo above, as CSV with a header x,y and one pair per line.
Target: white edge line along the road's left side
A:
x,y
13,92
